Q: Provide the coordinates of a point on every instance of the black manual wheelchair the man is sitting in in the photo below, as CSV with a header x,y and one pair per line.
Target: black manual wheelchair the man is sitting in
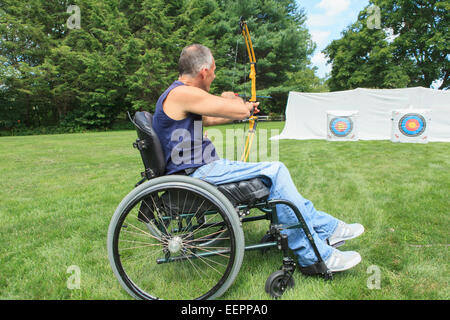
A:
x,y
177,237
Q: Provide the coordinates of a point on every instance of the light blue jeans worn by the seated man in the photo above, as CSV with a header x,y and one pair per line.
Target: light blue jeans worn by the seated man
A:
x,y
320,224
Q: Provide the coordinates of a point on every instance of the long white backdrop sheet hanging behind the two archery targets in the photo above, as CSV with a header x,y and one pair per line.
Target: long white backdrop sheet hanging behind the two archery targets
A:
x,y
306,113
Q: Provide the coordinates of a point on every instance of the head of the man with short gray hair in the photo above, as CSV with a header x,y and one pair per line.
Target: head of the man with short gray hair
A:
x,y
194,58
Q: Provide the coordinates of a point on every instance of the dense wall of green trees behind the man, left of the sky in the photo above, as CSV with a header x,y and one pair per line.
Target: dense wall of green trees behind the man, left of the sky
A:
x,y
125,54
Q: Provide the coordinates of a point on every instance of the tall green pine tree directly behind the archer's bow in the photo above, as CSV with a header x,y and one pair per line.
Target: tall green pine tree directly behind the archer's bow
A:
x,y
282,47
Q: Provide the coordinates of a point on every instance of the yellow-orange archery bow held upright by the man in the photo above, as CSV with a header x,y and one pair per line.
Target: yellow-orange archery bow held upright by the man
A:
x,y
253,120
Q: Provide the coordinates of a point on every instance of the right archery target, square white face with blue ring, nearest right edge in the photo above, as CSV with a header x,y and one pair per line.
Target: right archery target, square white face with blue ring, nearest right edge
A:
x,y
410,126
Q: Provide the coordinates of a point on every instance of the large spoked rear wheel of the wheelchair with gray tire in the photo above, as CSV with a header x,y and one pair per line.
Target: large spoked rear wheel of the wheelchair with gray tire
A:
x,y
143,281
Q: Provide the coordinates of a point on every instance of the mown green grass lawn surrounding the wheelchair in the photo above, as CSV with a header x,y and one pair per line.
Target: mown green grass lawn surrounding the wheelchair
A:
x,y
58,193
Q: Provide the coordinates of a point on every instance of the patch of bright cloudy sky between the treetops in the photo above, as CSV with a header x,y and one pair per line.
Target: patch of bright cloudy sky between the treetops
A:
x,y
326,20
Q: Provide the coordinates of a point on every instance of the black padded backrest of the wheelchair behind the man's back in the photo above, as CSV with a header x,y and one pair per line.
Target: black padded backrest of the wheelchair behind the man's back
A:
x,y
149,145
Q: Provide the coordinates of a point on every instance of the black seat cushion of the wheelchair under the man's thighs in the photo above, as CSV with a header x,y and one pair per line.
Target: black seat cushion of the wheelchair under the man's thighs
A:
x,y
246,192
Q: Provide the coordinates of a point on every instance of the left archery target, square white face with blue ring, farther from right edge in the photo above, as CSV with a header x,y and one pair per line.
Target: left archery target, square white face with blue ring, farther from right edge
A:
x,y
342,126
